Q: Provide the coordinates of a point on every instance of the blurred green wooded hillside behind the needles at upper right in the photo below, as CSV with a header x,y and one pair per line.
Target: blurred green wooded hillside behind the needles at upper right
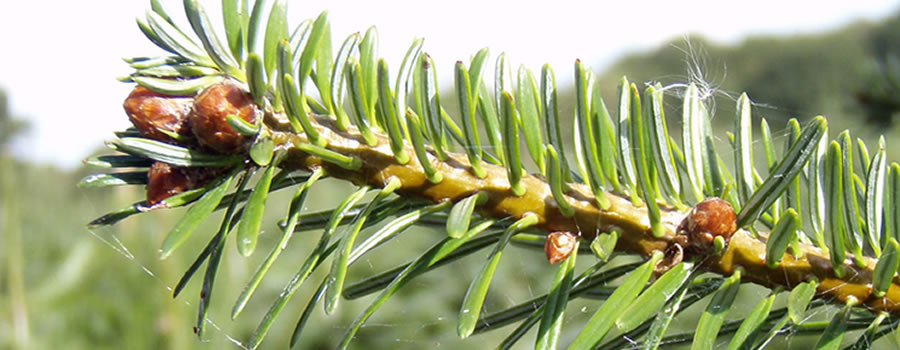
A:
x,y
786,76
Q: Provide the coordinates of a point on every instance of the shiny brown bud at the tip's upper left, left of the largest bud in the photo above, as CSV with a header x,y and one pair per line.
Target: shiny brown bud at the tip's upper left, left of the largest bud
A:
x,y
151,112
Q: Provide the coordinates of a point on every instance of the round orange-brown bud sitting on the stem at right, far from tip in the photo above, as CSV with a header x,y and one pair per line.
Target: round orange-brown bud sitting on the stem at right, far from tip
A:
x,y
709,219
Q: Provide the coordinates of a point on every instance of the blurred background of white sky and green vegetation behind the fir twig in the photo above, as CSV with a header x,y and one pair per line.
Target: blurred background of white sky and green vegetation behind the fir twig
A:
x,y
64,286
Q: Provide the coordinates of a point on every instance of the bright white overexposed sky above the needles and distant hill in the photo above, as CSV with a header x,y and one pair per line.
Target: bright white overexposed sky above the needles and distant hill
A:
x,y
60,58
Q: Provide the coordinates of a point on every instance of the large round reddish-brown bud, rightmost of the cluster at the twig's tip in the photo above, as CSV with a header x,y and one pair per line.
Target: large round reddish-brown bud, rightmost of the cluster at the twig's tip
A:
x,y
208,117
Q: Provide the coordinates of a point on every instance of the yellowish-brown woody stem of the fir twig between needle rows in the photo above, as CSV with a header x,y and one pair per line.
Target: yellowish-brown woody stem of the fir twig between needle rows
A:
x,y
743,250
